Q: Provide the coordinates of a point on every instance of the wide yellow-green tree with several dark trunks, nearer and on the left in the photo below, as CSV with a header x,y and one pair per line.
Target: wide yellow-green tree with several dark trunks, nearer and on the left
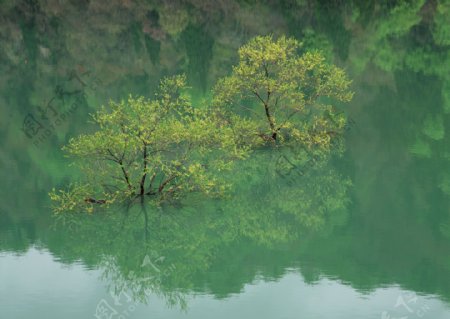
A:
x,y
162,147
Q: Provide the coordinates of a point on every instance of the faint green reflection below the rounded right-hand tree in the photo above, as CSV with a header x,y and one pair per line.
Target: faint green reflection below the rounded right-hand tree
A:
x,y
281,193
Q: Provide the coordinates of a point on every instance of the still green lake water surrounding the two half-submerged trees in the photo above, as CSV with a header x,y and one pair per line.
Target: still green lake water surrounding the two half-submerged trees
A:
x,y
381,244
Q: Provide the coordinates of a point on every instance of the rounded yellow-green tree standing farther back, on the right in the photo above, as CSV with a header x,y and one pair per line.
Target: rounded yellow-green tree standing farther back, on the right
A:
x,y
286,93
